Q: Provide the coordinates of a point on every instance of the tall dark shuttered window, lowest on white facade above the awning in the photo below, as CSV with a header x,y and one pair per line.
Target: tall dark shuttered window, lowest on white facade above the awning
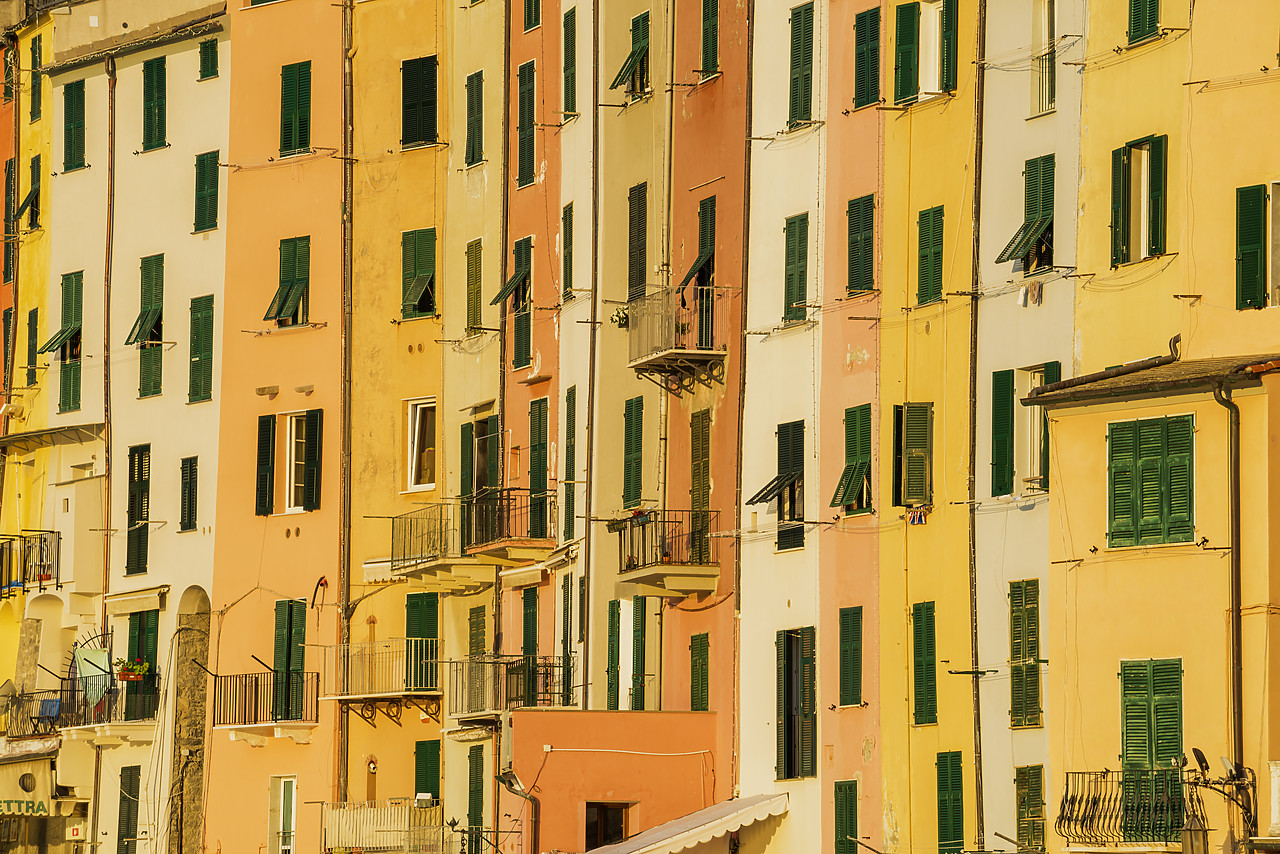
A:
x,y
797,723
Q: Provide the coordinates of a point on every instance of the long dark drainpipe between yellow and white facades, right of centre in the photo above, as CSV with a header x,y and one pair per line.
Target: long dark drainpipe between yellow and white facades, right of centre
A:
x,y
976,670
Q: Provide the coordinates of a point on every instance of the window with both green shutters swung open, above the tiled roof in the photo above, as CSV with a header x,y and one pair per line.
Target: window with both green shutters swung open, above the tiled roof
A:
x,y
1139,175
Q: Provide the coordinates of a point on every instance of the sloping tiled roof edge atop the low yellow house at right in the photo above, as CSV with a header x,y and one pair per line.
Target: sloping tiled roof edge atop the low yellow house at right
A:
x,y
1177,377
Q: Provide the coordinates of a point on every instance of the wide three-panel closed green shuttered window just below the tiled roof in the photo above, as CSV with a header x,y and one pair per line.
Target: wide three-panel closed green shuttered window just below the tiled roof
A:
x,y
1150,482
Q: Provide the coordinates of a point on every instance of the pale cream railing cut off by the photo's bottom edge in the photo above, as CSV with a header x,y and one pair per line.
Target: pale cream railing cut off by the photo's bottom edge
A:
x,y
394,825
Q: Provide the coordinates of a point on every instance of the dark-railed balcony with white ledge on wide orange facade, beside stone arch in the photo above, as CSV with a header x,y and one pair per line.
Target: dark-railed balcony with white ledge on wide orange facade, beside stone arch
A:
x,y
254,707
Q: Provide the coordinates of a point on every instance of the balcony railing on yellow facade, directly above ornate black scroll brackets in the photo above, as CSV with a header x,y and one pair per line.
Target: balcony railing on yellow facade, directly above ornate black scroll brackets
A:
x,y
391,668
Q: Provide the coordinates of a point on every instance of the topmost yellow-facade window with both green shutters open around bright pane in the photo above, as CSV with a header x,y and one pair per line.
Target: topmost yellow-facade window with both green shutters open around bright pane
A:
x,y
926,47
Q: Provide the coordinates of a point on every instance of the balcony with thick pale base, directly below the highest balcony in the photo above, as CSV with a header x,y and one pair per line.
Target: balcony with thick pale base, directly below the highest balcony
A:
x,y
670,551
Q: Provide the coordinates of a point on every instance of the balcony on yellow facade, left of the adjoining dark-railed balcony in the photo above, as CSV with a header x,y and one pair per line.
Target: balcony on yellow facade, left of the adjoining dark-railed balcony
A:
x,y
427,545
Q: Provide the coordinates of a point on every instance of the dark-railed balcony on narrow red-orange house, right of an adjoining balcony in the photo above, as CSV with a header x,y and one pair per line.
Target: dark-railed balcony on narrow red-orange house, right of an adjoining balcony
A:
x,y
510,526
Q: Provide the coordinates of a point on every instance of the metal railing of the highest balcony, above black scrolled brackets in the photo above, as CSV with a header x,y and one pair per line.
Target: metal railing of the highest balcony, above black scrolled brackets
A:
x,y
692,319
